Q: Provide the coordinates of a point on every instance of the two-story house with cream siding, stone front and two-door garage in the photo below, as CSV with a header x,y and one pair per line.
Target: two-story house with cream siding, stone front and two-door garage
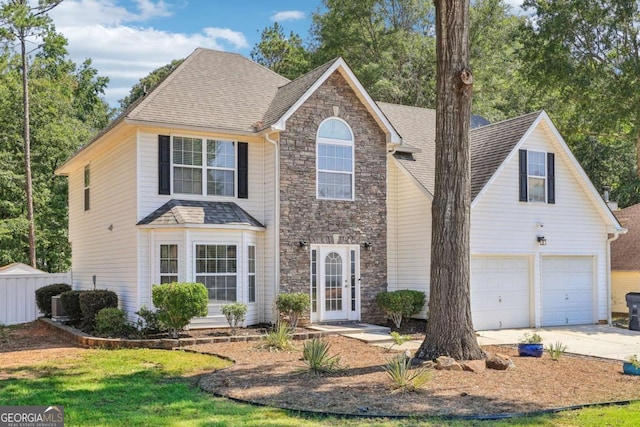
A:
x,y
230,175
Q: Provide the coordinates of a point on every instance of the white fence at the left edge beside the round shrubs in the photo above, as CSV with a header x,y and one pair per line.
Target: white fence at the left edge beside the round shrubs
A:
x,y
18,295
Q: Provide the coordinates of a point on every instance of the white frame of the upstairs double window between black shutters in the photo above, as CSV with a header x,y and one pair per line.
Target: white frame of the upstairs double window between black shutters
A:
x,y
204,168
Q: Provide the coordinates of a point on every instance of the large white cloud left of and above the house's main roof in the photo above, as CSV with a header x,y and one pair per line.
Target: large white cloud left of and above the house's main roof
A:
x,y
98,29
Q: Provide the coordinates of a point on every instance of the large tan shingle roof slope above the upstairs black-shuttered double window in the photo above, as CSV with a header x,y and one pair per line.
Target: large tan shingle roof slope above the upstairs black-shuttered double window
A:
x,y
200,93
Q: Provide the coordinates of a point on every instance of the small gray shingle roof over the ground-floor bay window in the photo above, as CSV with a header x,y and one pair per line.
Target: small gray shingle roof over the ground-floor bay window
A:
x,y
176,212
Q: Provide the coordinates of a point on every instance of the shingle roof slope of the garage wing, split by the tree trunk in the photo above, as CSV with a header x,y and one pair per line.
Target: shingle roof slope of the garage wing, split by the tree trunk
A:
x,y
490,144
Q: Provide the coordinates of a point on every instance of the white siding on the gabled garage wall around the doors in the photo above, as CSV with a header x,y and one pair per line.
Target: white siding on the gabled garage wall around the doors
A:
x,y
571,226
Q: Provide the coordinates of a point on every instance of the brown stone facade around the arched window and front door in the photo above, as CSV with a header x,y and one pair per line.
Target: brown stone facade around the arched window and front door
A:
x,y
304,217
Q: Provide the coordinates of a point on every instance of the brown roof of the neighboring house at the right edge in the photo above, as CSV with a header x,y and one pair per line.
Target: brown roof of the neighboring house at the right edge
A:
x,y
625,251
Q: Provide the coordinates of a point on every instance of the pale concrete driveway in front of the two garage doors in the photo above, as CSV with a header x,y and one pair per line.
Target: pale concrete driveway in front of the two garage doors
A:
x,y
592,340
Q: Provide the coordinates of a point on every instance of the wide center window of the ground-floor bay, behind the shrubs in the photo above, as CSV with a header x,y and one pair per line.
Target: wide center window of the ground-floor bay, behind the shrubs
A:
x,y
216,268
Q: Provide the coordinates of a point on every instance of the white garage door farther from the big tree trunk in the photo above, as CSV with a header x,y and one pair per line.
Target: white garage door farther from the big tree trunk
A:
x,y
567,290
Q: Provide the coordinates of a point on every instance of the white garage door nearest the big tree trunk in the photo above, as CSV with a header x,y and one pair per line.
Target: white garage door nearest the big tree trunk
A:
x,y
500,296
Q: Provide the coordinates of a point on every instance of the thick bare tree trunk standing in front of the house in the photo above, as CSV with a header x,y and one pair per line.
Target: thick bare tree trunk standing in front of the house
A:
x,y
450,329
